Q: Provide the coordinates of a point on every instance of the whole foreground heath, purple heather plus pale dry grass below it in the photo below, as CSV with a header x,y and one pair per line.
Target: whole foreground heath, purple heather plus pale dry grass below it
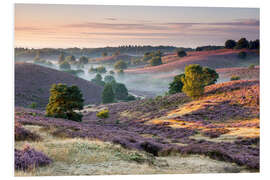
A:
x,y
219,132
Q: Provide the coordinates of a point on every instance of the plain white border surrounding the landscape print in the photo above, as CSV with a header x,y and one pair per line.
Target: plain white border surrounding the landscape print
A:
x,y
7,81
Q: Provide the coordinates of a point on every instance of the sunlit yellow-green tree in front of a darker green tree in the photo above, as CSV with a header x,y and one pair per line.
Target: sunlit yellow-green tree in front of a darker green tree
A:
x,y
193,81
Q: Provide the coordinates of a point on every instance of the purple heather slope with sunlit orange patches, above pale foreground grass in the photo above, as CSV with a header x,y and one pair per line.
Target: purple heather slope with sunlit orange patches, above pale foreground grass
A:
x,y
223,124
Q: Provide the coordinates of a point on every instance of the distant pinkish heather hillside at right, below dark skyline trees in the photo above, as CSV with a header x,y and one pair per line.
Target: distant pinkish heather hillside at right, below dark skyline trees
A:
x,y
223,58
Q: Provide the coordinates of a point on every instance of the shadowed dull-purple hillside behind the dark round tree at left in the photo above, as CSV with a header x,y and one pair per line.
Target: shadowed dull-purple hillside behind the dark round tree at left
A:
x,y
33,82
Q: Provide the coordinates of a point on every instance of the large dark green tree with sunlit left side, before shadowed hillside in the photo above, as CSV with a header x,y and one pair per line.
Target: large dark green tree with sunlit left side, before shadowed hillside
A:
x,y
63,101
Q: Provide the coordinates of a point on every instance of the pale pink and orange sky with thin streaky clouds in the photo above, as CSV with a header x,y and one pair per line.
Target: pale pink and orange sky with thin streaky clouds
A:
x,y
91,26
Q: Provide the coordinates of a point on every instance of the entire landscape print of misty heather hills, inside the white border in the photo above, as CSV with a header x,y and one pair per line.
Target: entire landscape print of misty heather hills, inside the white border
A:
x,y
123,90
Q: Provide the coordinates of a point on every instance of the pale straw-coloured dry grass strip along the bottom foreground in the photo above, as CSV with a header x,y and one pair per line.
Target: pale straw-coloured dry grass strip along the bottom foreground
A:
x,y
75,156
